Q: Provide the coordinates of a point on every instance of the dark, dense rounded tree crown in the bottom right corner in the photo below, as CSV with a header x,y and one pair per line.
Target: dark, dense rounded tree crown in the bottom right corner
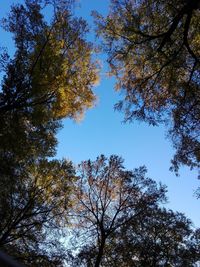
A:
x,y
159,238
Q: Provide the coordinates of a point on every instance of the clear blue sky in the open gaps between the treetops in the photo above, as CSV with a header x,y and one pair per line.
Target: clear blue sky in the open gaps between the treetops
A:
x,y
102,132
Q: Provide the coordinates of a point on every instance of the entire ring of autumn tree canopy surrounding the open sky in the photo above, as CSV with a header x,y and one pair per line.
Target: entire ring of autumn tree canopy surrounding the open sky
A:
x,y
116,213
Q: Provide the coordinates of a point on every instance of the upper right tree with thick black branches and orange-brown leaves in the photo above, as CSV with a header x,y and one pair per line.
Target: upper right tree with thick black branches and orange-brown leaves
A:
x,y
153,50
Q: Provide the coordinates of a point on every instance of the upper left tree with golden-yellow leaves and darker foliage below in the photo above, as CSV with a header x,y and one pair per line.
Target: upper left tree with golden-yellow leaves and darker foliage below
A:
x,y
50,77
